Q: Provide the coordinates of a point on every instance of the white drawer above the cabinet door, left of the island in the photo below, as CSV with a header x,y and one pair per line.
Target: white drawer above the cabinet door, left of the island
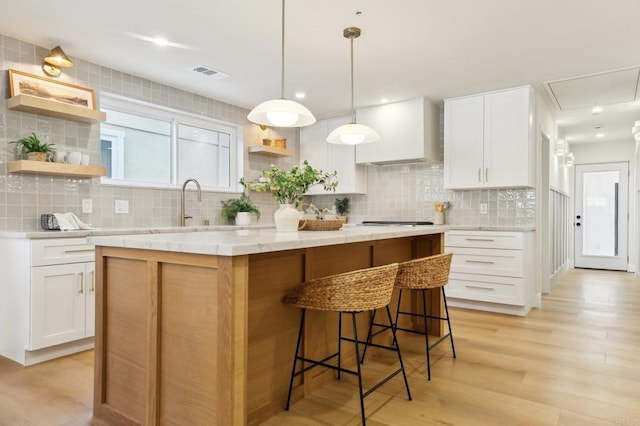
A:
x,y
61,250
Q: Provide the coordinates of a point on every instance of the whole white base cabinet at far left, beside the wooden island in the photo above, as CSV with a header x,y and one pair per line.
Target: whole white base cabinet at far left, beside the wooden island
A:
x,y
47,295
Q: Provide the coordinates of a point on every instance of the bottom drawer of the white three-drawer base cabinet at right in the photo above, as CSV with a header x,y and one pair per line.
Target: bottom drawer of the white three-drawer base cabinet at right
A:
x,y
485,288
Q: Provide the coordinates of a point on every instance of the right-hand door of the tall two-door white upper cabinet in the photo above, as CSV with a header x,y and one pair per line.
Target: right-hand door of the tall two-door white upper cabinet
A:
x,y
507,124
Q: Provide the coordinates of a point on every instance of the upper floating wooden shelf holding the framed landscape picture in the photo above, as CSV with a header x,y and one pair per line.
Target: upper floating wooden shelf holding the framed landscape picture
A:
x,y
35,105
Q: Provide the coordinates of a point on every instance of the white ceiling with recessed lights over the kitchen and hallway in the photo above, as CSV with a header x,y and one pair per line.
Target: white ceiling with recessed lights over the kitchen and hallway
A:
x,y
408,48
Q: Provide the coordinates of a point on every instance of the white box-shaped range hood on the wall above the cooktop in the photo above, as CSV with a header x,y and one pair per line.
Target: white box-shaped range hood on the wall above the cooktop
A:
x,y
409,131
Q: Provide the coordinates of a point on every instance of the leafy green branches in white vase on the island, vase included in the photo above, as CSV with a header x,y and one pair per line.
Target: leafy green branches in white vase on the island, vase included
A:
x,y
289,187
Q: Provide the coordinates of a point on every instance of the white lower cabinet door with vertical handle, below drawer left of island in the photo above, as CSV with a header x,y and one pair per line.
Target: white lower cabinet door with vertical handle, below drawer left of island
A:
x,y
57,304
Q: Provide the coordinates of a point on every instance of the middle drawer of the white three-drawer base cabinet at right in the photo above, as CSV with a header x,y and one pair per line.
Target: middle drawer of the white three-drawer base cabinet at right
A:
x,y
506,263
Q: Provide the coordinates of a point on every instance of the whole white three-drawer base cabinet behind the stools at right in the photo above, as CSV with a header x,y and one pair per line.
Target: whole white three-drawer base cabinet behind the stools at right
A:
x,y
492,271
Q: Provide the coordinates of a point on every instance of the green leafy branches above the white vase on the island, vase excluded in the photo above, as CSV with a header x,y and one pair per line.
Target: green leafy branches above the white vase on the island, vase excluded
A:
x,y
289,186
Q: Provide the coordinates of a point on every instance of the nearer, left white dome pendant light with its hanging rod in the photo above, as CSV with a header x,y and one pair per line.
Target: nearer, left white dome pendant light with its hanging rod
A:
x,y
281,112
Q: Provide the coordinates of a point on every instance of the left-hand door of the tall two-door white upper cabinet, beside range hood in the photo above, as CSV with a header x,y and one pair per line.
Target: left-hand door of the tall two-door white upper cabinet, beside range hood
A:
x,y
463,142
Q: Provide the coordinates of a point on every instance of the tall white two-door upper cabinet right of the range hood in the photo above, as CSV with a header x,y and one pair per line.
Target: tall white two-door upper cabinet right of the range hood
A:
x,y
488,140
